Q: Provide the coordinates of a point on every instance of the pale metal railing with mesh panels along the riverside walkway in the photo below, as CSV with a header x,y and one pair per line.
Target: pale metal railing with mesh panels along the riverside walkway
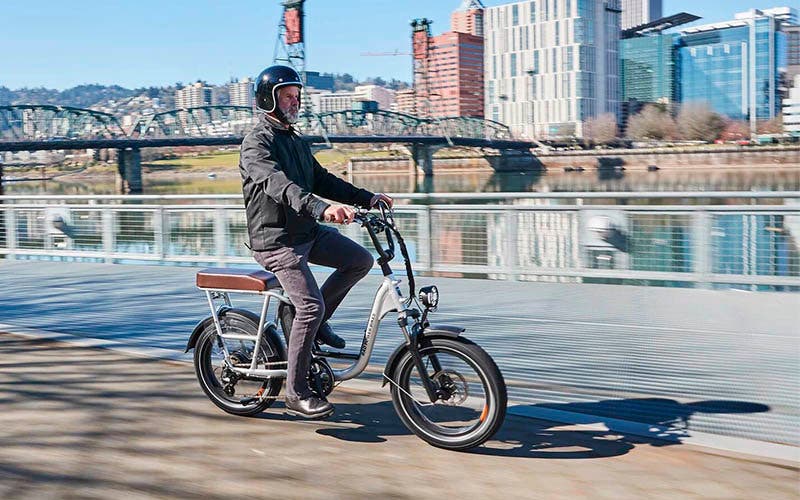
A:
x,y
578,237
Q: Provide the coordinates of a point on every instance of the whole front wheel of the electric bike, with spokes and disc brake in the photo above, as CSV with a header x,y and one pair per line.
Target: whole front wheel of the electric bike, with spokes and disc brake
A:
x,y
473,405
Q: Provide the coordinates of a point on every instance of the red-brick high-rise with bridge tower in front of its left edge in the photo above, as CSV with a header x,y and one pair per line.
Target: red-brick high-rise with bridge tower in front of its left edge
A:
x,y
448,72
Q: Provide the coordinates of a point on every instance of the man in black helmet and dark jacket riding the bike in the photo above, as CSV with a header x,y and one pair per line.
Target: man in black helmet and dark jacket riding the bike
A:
x,y
280,177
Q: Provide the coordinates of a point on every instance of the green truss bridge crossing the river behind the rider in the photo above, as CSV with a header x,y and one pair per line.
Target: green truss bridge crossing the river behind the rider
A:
x,y
47,127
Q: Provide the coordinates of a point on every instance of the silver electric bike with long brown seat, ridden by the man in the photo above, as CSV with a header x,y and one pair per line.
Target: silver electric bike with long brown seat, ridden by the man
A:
x,y
446,389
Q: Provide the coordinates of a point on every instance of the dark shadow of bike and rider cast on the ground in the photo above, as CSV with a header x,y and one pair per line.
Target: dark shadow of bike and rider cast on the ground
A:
x,y
666,421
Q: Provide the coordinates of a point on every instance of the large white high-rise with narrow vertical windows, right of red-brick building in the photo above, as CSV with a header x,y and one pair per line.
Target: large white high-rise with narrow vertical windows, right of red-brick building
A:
x,y
551,65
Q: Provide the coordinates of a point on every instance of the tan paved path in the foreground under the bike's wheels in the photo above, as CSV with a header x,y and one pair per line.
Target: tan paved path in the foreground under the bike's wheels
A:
x,y
93,423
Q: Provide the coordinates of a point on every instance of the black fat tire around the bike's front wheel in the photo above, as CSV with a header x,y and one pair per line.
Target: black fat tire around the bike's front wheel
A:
x,y
494,385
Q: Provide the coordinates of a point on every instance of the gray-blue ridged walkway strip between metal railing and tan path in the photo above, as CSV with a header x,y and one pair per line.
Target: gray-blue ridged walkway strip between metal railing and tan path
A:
x,y
677,362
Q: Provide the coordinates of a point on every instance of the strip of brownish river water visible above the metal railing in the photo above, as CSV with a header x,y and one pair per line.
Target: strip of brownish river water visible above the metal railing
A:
x,y
699,179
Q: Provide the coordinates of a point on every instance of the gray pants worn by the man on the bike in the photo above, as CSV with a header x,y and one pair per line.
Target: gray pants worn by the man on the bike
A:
x,y
313,304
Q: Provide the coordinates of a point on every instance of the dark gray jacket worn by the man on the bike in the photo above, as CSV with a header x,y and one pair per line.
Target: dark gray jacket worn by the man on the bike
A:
x,y
279,175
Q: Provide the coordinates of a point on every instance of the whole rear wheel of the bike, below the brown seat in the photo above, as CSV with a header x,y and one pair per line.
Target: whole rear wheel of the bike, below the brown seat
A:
x,y
223,386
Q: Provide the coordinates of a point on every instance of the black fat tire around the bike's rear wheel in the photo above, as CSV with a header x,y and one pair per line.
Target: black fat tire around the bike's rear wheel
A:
x,y
247,323
